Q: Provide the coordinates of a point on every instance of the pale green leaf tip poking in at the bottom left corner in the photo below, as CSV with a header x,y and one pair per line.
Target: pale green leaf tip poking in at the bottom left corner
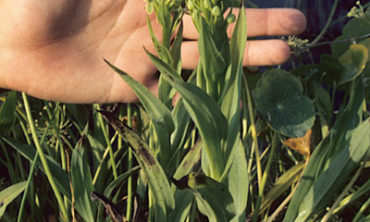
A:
x,y
9,194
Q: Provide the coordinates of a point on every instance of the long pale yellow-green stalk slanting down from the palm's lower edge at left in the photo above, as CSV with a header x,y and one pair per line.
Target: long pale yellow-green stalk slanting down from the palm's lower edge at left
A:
x,y
43,158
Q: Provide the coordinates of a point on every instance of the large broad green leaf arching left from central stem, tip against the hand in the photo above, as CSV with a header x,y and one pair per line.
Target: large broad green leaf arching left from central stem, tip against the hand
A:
x,y
205,113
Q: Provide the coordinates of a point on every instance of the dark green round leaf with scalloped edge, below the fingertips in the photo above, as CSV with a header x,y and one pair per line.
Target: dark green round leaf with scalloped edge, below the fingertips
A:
x,y
279,98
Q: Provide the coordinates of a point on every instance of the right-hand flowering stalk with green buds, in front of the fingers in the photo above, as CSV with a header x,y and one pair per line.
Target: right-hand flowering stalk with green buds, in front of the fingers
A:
x,y
208,18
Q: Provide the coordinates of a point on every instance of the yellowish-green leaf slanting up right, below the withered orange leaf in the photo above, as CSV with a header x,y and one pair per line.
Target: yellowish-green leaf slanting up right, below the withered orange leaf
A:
x,y
282,184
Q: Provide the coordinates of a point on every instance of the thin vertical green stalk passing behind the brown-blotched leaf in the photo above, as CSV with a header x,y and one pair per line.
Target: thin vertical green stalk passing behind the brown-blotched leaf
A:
x,y
129,166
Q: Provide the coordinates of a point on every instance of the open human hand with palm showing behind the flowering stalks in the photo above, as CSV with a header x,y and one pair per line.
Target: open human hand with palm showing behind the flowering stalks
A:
x,y
54,50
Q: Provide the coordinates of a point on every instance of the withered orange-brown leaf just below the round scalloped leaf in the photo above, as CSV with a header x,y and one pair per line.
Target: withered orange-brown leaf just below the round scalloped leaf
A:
x,y
301,144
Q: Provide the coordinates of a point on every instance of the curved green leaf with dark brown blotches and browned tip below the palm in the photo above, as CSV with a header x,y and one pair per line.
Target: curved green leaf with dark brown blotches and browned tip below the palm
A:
x,y
157,180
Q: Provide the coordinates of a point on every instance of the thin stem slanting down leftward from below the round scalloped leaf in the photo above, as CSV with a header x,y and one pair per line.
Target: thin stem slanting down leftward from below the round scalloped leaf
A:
x,y
265,176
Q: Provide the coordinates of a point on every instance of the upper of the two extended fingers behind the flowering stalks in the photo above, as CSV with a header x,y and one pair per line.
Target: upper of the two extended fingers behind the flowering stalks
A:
x,y
261,22
